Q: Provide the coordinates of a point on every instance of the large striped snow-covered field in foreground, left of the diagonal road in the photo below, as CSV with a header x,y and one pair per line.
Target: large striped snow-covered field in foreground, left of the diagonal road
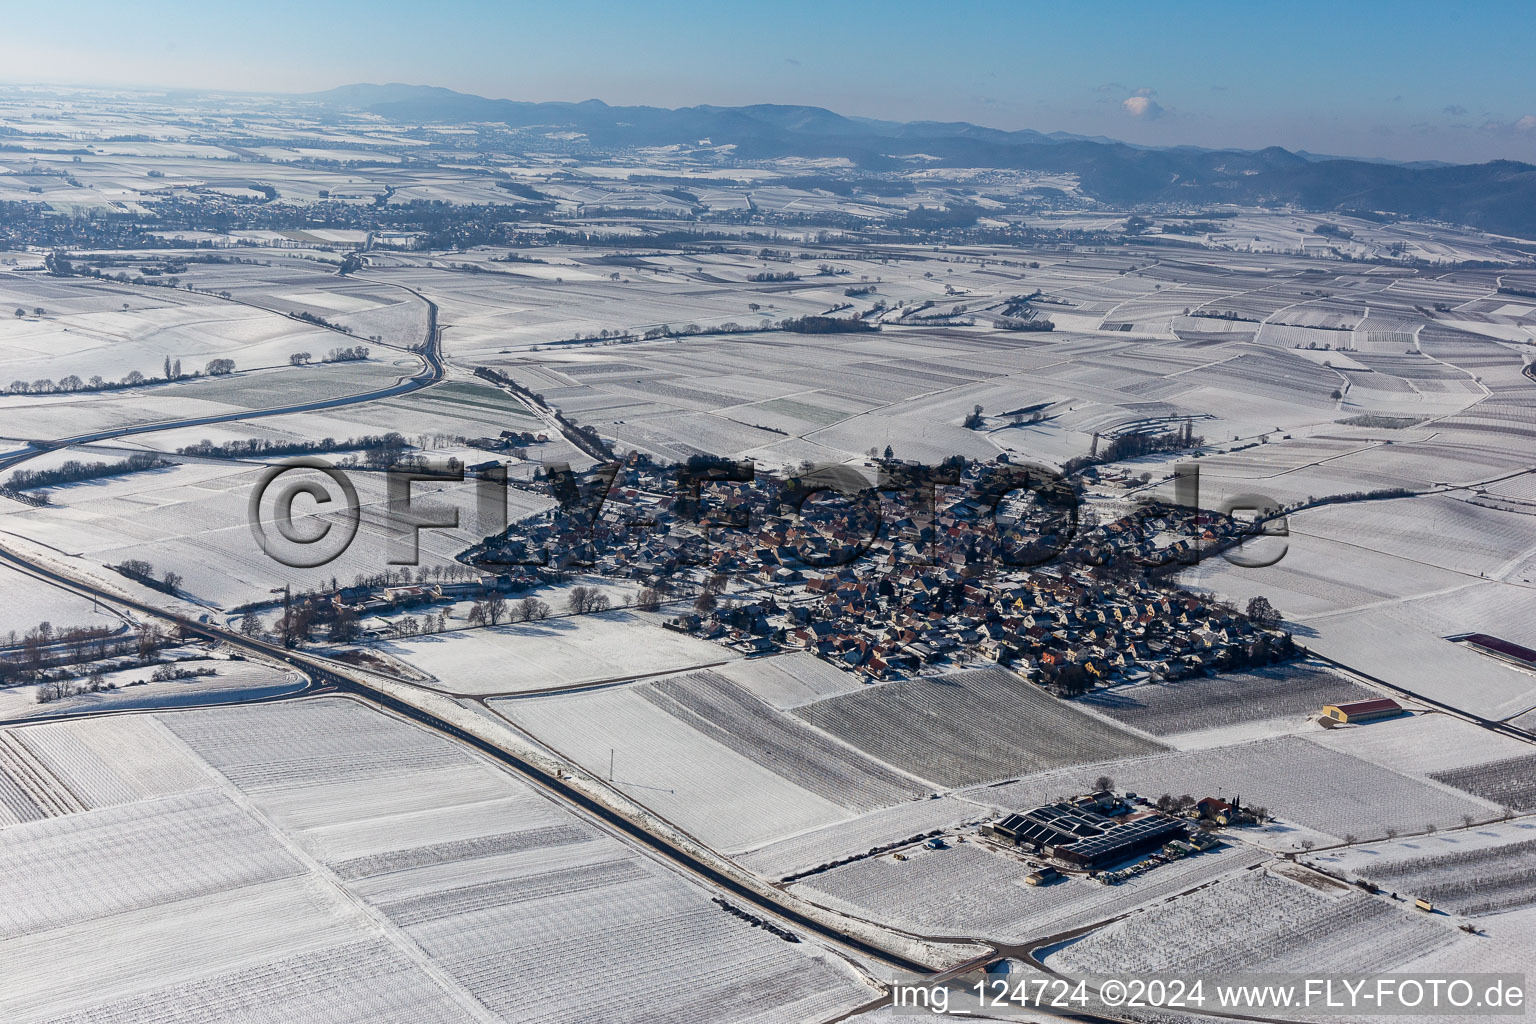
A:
x,y
323,860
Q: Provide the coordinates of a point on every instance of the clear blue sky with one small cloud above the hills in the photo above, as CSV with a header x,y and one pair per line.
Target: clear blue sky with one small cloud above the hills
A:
x,y
1405,81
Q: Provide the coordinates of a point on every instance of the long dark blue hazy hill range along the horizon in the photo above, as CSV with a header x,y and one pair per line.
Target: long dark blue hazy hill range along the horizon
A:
x,y
1498,196
